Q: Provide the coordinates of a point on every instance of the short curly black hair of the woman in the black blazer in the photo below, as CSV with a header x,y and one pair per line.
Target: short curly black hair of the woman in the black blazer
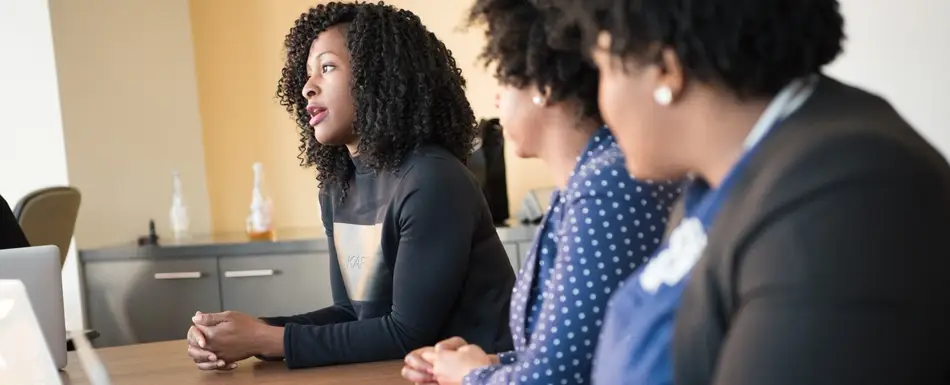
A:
x,y
752,47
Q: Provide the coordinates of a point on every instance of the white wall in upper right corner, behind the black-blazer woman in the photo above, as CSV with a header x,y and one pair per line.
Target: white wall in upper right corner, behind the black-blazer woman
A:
x,y
901,50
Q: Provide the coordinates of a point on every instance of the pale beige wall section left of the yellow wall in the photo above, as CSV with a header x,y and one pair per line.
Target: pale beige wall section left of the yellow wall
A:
x,y
130,114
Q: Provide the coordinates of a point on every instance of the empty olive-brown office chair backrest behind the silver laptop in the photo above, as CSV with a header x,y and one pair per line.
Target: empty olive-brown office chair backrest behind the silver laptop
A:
x,y
48,217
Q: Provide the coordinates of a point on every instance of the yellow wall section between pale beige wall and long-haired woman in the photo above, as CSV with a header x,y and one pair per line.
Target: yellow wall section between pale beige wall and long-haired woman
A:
x,y
237,45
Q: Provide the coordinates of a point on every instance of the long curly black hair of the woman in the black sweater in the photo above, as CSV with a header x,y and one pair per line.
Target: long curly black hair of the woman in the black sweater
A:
x,y
406,87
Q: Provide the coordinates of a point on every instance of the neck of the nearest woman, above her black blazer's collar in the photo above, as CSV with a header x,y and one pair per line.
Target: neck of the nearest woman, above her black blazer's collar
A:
x,y
721,141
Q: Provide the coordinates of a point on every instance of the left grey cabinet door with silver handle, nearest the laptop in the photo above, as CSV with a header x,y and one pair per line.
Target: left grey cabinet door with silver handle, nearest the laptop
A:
x,y
145,300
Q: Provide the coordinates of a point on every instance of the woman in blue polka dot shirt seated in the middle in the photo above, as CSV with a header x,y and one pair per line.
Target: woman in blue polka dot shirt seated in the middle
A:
x,y
601,225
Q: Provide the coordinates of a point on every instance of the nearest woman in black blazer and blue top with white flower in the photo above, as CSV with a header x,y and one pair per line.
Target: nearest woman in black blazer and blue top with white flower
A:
x,y
812,247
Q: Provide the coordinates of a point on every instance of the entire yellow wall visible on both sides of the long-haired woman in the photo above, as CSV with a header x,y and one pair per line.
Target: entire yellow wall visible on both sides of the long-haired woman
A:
x,y
238,56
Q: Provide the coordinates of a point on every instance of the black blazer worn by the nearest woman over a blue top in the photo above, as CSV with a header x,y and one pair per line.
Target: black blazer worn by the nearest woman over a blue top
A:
x,y
829,262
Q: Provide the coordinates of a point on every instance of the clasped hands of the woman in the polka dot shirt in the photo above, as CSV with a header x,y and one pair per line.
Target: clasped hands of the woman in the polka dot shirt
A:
x,y
446,363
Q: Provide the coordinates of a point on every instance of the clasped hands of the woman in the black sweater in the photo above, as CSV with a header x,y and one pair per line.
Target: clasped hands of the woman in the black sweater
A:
x,y
217,341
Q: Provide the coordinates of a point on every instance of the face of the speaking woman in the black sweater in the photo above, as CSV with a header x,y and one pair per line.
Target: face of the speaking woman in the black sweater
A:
x,y
327,91
